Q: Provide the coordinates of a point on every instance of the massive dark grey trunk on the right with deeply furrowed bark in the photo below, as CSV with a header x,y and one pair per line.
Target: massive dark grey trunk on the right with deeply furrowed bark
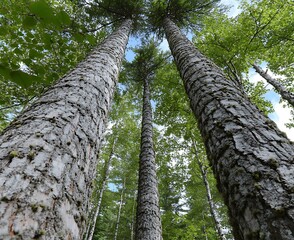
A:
x,y
251,158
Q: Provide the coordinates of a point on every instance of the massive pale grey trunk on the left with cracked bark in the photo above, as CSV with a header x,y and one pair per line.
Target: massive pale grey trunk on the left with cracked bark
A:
x,y
48,154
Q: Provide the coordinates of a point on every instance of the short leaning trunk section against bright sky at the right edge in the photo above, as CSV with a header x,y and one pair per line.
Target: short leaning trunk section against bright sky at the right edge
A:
x,y
286,95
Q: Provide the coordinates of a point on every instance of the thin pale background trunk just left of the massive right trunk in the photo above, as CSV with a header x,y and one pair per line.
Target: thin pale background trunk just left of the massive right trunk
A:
x,y
212,209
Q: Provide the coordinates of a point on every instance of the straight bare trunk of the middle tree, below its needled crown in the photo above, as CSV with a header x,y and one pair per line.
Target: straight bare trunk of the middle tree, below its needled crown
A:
x,y
148,224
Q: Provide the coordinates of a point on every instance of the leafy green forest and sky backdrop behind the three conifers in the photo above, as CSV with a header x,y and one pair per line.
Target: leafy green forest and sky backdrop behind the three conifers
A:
x,y
43,40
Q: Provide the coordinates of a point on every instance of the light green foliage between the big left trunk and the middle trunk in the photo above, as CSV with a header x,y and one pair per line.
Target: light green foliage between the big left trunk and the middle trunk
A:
x,y
125,128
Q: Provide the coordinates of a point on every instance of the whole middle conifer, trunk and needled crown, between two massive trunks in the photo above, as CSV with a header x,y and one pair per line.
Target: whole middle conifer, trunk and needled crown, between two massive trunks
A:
x,y
148,222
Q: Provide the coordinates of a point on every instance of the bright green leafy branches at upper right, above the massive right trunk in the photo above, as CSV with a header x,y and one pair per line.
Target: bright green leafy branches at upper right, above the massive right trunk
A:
x,y
262,32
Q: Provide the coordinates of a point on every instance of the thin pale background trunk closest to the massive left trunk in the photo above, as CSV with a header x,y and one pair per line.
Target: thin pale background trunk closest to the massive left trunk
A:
x,y
103,186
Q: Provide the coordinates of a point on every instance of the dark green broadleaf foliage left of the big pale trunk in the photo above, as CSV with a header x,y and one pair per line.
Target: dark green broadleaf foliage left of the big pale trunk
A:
x,y
39,42
